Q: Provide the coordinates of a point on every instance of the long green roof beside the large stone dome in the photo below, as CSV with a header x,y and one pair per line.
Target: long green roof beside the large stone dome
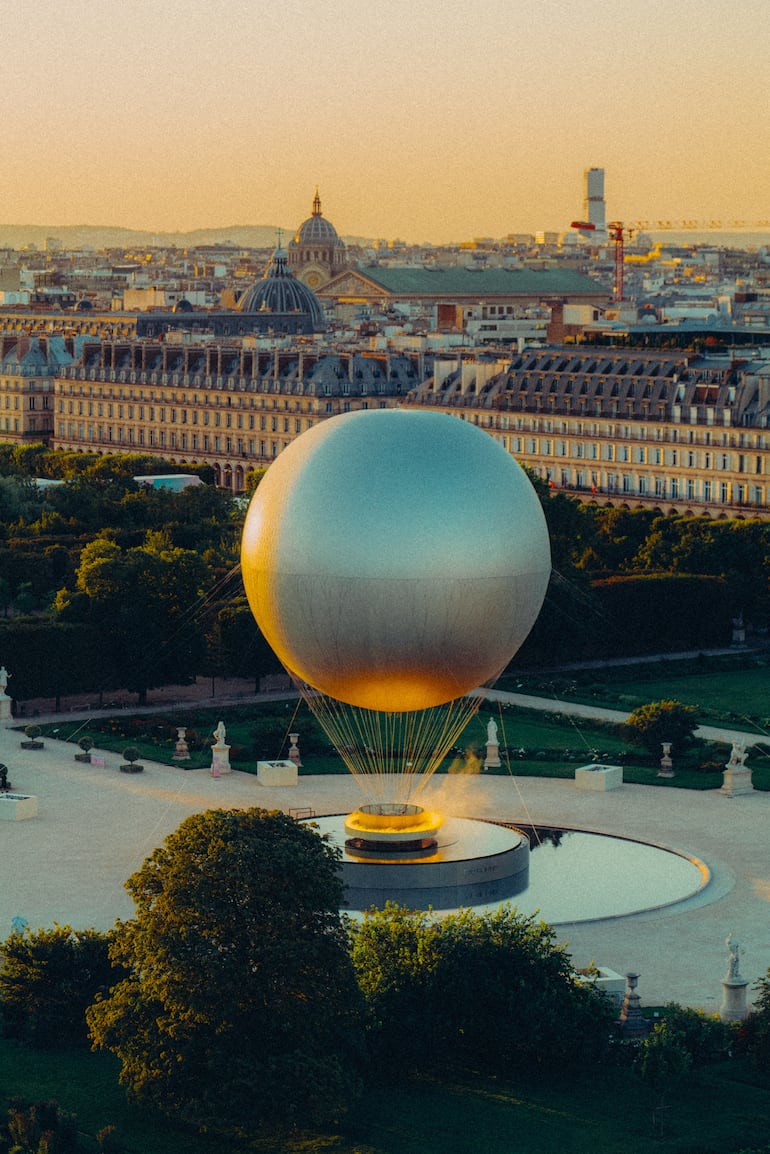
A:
x,y
484,283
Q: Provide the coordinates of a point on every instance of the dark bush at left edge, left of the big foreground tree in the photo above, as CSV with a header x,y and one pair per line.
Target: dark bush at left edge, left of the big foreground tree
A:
x,y
48,980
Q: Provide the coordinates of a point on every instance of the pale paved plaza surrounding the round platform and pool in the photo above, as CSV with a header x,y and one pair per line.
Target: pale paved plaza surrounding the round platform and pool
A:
x,y
96,826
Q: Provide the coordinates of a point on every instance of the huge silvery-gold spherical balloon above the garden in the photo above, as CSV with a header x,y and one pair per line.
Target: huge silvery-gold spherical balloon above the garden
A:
x,y
394,559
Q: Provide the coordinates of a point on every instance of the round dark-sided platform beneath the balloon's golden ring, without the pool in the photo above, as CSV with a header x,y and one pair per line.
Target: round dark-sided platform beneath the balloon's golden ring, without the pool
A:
x,y
473,864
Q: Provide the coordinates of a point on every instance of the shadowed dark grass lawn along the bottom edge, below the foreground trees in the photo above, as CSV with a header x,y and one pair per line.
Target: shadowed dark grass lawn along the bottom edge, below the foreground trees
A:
x,y
726,1107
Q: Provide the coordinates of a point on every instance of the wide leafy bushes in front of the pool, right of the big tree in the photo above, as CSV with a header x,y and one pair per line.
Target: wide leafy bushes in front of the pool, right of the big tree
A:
x,y
490,993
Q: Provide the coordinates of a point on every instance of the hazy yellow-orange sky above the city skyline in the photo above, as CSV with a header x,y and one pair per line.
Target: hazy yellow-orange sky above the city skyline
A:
x,y
423,119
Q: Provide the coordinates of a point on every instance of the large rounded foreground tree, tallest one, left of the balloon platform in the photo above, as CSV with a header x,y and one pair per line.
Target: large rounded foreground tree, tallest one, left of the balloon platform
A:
x,y
242,1007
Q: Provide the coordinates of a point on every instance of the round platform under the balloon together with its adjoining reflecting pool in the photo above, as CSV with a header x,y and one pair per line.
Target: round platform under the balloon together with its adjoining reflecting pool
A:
x,y
575,876
